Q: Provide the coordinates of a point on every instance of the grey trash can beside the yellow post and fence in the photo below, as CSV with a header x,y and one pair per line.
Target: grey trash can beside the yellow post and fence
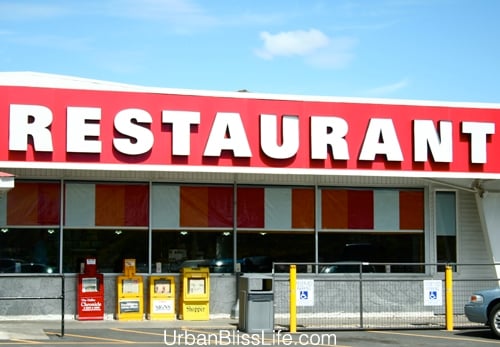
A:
x,y
256,296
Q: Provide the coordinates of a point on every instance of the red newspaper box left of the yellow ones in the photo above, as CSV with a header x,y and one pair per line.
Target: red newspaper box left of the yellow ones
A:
x,y
90,292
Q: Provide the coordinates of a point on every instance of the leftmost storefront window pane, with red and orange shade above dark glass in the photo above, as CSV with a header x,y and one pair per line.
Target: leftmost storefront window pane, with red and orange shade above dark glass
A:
x,y
29,236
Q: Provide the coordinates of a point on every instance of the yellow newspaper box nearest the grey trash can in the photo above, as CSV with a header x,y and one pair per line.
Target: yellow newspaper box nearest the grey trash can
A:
x,y
195,294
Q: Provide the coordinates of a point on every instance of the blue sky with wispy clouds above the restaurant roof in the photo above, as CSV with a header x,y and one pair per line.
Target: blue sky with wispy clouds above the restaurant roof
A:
x,y
447,50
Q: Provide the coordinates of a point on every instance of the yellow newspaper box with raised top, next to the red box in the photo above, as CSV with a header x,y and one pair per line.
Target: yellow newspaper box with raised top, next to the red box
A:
x,y
130,297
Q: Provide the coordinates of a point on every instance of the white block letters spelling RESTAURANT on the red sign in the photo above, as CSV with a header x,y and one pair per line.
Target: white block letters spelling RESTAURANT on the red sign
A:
x,y
228,133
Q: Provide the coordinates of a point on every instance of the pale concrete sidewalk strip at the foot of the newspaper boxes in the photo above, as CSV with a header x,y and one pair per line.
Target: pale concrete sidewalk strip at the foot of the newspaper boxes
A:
x,y
35,329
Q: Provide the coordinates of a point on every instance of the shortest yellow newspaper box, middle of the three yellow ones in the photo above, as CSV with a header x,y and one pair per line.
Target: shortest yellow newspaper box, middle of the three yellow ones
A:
x,y
161,297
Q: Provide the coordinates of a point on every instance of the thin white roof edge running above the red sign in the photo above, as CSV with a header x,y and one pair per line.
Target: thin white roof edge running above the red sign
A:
x,y
46,80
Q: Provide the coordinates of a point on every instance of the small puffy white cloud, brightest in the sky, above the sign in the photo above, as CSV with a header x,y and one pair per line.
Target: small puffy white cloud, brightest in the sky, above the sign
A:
x,y
314,46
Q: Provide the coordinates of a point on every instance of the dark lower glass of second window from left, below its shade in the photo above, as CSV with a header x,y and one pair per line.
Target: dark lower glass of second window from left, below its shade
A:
x,y
108,246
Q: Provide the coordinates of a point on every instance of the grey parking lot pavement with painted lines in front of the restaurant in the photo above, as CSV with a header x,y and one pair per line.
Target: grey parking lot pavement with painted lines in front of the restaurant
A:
x,y
223,332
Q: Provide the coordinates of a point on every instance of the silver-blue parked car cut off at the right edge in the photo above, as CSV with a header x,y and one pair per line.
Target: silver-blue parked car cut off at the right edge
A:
x,y
484,307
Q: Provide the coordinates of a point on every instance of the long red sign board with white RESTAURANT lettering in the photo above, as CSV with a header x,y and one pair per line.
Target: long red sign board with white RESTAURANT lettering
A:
x,y
50,127
